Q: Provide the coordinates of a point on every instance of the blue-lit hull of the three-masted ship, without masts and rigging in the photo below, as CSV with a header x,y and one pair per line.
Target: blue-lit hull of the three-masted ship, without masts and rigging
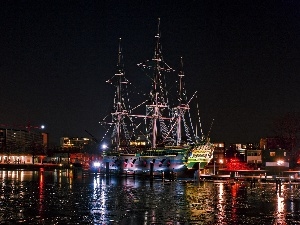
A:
x,y
154,162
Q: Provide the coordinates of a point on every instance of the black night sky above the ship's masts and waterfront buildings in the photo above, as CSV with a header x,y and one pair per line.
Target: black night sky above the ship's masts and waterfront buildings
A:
x,y
241,56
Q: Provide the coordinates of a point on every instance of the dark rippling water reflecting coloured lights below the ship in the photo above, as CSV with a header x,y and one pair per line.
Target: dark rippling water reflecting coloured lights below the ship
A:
x,y
62,197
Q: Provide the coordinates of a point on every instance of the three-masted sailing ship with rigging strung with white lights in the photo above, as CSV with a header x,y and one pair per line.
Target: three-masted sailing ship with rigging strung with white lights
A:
x,y
168,141
